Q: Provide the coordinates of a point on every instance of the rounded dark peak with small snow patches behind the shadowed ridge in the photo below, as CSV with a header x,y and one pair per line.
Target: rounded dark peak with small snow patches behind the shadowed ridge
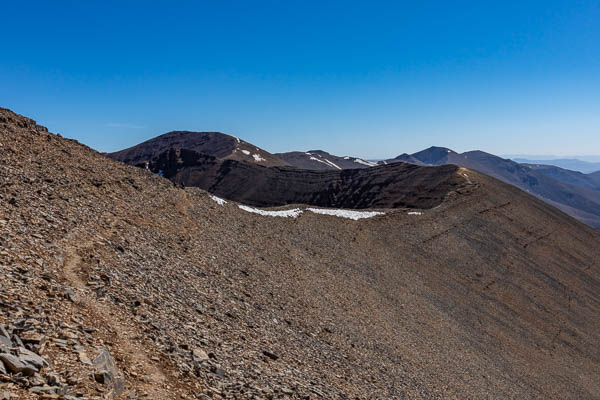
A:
x,y
216,144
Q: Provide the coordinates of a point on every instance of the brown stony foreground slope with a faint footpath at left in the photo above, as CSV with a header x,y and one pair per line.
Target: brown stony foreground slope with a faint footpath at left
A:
x,y
115,284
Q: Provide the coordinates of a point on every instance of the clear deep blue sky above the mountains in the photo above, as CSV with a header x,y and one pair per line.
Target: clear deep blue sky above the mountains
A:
x,y
372,79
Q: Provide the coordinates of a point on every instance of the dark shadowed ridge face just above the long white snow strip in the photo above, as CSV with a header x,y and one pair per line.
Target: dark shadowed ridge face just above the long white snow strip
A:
x,y
398,185
